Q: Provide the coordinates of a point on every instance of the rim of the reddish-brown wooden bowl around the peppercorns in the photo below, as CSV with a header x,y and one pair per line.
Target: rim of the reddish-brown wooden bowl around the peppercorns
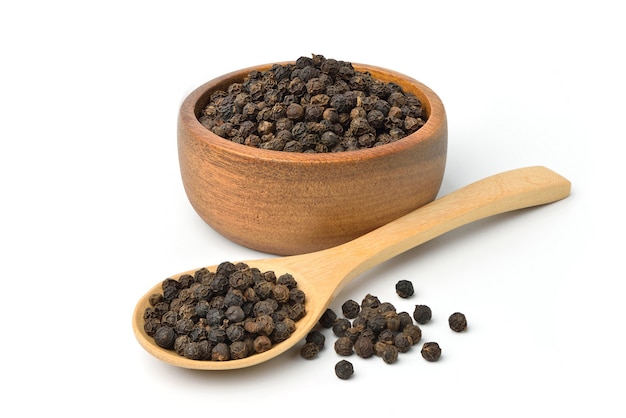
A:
x,y
188,119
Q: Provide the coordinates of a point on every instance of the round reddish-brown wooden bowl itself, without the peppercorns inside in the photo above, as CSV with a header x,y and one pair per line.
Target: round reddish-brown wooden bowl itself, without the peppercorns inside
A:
x,y
289,203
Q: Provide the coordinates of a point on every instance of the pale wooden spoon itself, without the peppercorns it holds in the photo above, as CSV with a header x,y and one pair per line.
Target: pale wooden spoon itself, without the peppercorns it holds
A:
x,y
323,274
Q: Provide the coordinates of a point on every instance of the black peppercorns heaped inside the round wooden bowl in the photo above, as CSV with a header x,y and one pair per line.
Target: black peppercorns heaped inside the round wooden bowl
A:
x,y
315,105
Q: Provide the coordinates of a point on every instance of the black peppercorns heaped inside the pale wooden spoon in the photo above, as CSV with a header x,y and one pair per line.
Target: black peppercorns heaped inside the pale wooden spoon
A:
x,y
229,314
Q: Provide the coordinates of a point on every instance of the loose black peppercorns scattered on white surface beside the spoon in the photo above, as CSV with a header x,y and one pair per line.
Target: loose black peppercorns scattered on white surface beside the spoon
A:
x,y
375,328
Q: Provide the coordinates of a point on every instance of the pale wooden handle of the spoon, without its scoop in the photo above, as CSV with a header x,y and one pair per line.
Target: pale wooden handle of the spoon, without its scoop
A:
x,y
504,192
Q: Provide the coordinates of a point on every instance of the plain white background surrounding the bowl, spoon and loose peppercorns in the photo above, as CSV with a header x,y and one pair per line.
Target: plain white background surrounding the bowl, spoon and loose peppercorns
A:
x,y
93,211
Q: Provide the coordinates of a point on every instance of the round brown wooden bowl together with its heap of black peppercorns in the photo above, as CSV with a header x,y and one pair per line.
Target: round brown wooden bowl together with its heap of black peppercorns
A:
x,y
295,157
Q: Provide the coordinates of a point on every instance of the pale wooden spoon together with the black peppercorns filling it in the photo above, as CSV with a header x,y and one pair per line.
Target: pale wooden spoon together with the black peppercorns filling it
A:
x,y
214,318
